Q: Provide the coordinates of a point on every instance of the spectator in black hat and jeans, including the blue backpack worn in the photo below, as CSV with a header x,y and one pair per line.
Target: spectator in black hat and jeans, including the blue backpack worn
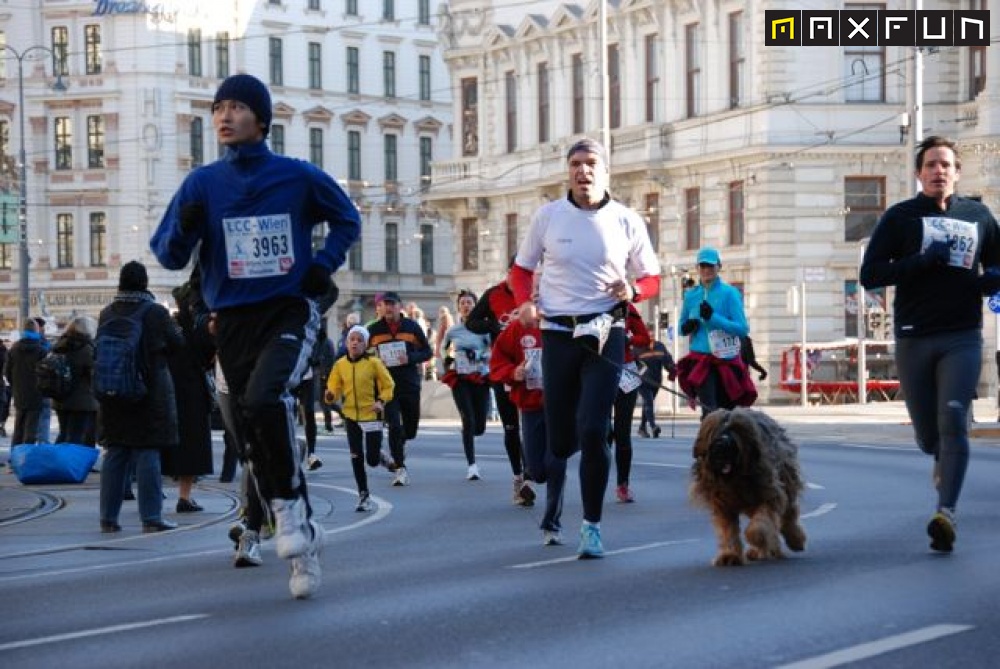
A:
x,y
134,337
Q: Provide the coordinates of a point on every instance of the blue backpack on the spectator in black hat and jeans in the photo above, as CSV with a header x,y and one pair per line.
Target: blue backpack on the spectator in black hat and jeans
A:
x,y
119,357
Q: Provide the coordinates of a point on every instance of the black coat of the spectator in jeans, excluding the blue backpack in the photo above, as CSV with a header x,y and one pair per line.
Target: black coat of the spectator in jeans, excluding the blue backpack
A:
x,y
152,422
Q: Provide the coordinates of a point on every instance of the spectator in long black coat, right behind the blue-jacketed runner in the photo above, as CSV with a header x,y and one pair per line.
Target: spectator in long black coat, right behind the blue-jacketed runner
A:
x,y
189,368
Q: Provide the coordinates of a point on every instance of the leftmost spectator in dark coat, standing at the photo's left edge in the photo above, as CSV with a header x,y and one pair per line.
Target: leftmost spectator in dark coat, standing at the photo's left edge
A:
x,y
19,370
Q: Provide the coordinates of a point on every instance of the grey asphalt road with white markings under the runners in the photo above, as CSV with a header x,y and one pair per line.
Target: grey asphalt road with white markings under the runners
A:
x,y
447,573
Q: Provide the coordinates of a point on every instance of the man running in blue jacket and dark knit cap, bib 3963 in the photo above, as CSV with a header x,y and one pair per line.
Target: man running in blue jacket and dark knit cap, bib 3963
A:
x,y
252,212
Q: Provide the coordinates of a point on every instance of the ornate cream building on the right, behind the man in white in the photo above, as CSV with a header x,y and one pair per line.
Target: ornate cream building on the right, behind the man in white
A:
x,y
782,157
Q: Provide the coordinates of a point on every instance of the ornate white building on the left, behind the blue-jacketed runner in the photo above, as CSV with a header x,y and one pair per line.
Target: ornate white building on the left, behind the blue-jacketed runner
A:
x,y
359,88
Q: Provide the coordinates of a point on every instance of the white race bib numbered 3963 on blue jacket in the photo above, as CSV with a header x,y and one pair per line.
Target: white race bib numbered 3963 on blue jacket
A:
x,y
259,246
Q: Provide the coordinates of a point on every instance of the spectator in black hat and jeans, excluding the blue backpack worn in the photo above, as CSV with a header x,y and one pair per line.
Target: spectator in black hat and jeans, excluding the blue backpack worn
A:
x,y
137,432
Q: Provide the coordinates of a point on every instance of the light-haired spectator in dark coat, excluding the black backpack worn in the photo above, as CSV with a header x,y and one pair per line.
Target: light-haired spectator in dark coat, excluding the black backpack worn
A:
x,y
77,413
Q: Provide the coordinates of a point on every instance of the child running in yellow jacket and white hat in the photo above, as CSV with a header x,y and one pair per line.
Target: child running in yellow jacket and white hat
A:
x,y
363,385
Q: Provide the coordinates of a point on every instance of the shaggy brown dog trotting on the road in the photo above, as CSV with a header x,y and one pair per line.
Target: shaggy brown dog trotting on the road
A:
x,y
744,463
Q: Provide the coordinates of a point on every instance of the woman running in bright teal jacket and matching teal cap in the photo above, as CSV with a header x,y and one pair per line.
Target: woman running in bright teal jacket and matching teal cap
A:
x,y
712,316
